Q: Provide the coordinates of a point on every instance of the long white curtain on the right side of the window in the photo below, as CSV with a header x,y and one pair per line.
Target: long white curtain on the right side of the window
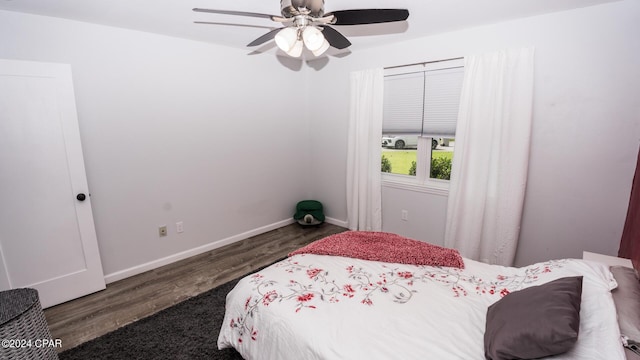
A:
x,y
489,171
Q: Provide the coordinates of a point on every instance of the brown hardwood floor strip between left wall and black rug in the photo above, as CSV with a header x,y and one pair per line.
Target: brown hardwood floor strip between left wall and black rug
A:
x,y
128,300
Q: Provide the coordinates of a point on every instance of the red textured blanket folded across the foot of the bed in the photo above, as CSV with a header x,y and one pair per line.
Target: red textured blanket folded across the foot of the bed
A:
x,y
386,247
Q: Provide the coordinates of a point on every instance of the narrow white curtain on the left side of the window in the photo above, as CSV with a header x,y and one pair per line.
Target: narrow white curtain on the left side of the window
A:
x,y
364,198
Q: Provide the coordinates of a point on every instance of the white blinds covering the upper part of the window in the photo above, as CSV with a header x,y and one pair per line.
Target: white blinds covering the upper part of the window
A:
x,y
422,103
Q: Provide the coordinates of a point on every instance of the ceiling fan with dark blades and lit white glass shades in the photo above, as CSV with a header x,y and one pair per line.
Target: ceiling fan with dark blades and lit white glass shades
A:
x,y
305,24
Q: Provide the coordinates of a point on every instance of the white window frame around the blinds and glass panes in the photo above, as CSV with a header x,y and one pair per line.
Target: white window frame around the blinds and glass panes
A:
x,y
421,182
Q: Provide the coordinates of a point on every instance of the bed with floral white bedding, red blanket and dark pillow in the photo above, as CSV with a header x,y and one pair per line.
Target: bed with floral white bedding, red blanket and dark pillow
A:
x,y
364,295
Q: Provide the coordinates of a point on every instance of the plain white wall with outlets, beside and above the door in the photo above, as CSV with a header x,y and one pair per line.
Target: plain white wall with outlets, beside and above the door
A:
x,y
174,130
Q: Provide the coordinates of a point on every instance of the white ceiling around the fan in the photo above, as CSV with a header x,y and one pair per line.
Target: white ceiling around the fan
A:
x,y
175,17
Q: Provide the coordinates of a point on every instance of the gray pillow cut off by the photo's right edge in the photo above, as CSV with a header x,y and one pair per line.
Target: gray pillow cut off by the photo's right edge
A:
x,y
627,299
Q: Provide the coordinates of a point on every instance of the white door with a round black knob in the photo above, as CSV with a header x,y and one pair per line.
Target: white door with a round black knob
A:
x,y
47,235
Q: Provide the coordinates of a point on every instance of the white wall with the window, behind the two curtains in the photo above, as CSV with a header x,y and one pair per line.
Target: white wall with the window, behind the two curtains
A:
x,y
586,127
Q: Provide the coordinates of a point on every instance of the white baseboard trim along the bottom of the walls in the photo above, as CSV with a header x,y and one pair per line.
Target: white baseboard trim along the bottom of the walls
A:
x,y
139,269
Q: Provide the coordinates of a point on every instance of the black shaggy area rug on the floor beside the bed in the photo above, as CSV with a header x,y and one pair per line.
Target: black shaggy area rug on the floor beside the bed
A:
x,y
188,330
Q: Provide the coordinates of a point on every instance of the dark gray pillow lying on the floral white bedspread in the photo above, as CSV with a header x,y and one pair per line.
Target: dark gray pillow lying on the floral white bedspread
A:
x,y
535,322
